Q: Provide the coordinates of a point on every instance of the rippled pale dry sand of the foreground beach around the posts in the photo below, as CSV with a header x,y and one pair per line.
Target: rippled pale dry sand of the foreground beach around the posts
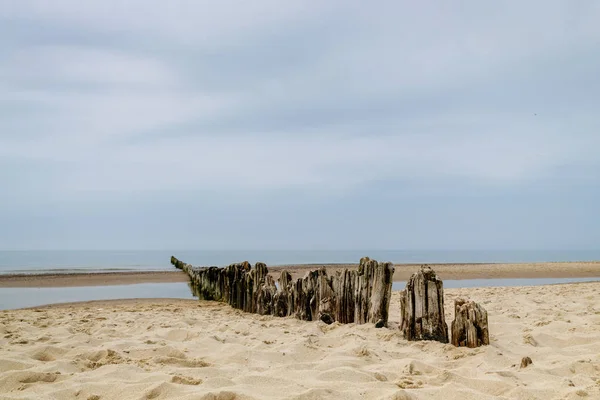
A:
x,y
190,350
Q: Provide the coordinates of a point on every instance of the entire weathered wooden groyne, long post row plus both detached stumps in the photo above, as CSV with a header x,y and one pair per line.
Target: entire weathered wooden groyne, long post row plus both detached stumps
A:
x,y
349,296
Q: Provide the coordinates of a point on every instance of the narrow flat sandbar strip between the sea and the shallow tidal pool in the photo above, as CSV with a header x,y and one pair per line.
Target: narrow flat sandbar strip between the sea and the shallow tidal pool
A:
x,y
587,269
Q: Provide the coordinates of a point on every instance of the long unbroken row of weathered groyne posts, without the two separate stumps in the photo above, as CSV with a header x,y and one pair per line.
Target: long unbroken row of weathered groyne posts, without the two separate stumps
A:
x,y
349,296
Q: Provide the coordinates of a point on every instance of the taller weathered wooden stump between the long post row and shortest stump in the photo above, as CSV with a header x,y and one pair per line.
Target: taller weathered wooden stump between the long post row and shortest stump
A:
x,y
422,307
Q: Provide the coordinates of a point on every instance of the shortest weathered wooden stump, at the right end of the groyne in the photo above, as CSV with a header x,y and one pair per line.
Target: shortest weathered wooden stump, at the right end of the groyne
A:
x,y
470,325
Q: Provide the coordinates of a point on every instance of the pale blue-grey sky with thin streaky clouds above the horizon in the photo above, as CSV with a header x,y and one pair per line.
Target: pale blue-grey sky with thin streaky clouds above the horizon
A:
x,y
299,125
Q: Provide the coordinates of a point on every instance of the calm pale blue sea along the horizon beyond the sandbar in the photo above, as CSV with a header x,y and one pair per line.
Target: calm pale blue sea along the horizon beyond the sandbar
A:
x,y
151,260
